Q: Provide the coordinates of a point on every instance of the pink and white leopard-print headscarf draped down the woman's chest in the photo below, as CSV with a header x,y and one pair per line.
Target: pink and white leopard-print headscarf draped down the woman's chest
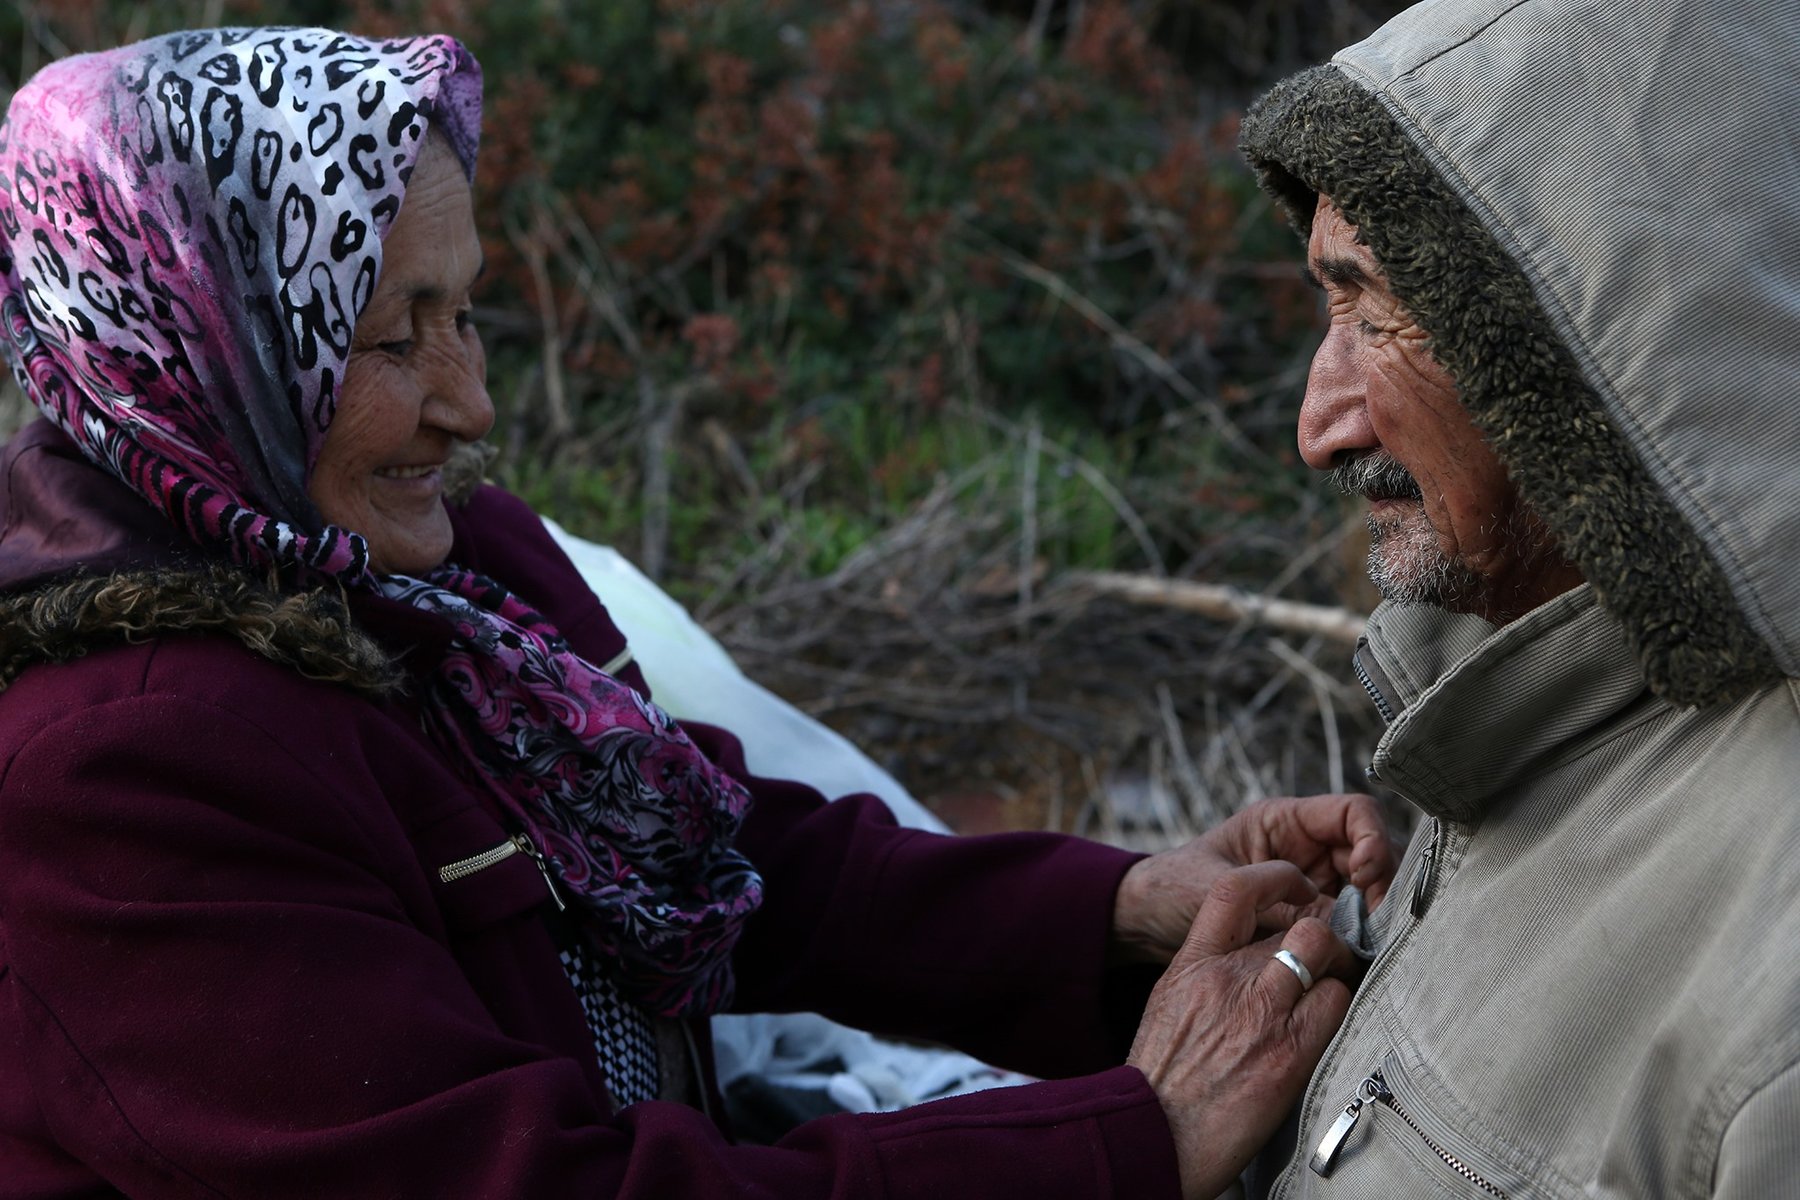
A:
x,y
190,229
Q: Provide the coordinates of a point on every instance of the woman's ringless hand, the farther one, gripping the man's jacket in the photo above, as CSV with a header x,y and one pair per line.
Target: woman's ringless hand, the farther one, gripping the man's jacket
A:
x,y
1333,839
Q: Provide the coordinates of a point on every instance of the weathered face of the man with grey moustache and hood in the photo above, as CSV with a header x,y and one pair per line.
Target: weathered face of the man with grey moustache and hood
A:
x,y
1446,524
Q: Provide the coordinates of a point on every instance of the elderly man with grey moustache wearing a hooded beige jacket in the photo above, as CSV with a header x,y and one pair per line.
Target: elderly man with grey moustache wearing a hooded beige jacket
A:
x,y
1560,247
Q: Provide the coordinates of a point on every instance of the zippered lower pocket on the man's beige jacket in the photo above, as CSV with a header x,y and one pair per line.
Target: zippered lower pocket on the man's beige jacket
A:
x,y
1387,1142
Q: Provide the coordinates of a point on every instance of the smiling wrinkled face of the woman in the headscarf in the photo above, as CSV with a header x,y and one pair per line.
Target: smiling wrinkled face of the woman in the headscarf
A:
x,y
417,379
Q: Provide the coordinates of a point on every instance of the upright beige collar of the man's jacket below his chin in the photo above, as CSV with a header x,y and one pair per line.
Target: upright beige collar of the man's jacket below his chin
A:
x,y
1479,710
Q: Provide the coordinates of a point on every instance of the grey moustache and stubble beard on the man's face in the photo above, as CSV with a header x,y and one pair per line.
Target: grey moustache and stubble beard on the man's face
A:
x,y
1407,562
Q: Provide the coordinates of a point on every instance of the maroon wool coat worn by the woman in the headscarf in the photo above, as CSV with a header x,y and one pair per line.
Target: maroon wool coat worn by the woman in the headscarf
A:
x,y
229,969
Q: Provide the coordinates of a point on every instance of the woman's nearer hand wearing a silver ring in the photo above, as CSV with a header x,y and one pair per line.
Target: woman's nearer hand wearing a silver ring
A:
x,y
1232,1035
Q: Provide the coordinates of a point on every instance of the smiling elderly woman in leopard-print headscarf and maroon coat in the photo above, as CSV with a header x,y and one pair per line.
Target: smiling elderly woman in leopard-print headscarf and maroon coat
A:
x,y
341,848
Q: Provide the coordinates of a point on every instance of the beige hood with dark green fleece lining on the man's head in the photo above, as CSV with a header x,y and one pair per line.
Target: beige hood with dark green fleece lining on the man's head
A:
x,y
1592,210
